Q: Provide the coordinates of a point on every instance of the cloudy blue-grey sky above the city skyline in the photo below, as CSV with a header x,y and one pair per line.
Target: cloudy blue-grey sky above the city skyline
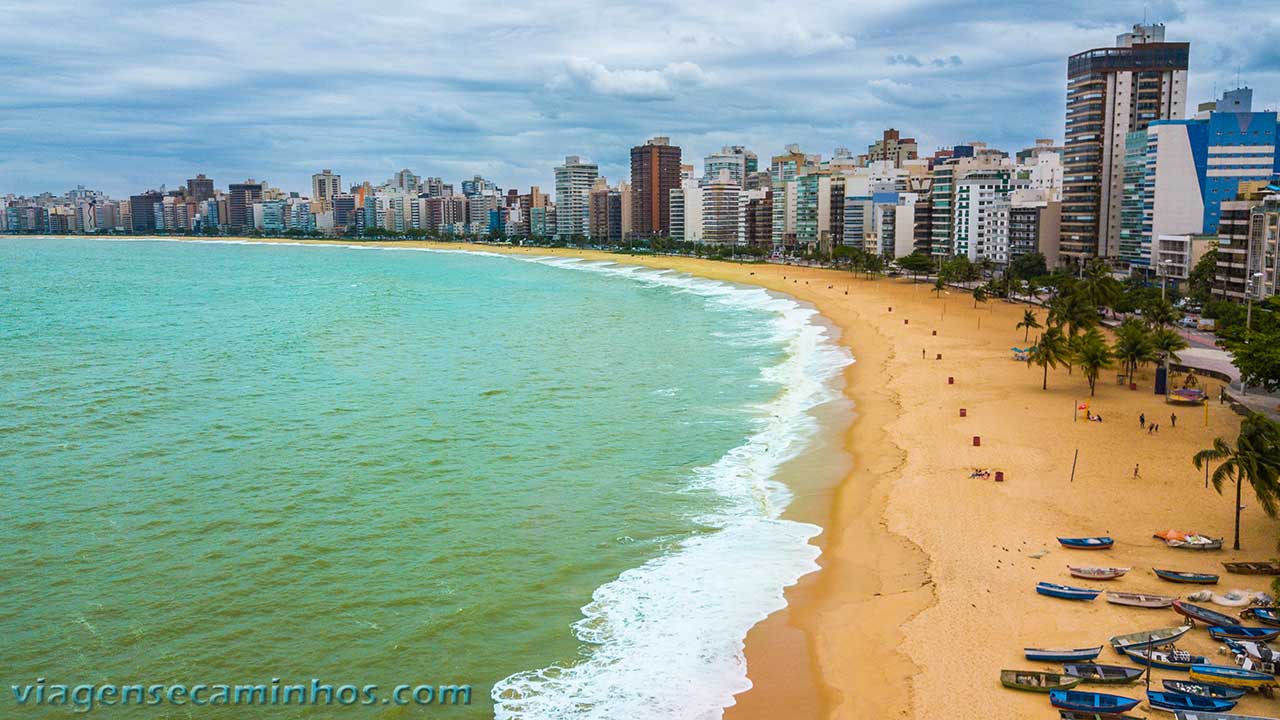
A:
x,y
129,95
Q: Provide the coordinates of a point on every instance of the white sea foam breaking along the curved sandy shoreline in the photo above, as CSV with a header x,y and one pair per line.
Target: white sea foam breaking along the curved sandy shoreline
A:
x,y
665,641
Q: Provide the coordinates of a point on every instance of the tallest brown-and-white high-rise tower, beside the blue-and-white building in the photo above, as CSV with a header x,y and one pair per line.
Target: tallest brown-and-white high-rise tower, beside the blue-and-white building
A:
x,y
1110,93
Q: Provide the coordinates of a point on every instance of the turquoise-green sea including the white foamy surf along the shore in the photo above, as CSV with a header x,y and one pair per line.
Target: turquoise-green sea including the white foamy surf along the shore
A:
x,y
554,481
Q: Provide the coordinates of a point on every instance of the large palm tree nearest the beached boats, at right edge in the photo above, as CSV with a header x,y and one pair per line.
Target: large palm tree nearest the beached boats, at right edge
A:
x,y
1255,459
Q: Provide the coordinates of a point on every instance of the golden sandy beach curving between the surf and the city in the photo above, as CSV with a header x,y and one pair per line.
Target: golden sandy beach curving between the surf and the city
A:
x,y
927,589
